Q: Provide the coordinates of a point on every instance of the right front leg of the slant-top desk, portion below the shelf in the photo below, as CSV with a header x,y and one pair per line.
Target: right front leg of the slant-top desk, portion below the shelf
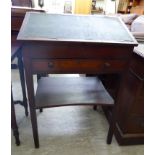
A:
x,y
111,127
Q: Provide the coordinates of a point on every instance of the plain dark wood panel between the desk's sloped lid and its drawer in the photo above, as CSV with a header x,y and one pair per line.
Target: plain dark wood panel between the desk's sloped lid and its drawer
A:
x,y
39,49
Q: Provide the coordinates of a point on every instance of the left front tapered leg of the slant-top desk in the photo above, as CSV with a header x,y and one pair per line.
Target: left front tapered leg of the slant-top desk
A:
x,y
30,91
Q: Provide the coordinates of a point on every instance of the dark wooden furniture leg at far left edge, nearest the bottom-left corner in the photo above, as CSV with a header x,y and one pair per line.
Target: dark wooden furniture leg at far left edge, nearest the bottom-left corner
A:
x,y
13,122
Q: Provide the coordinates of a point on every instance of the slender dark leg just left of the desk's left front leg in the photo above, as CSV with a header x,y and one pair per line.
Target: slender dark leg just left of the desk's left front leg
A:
x,y
22,80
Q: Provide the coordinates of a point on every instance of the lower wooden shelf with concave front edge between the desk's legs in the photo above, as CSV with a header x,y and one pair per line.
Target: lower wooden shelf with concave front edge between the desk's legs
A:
x,y
65,91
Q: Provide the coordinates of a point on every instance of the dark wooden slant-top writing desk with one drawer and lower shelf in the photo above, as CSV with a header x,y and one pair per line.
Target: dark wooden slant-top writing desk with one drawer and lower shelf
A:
x,y
54,43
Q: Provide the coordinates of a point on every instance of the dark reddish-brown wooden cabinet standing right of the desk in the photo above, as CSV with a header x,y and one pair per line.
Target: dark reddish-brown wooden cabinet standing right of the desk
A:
x,y
130,123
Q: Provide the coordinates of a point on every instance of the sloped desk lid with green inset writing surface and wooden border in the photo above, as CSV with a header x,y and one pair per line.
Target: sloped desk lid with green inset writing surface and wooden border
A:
x,y
74,28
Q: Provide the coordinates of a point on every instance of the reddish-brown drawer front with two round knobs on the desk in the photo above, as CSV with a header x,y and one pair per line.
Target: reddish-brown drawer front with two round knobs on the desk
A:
x,y
77,66
